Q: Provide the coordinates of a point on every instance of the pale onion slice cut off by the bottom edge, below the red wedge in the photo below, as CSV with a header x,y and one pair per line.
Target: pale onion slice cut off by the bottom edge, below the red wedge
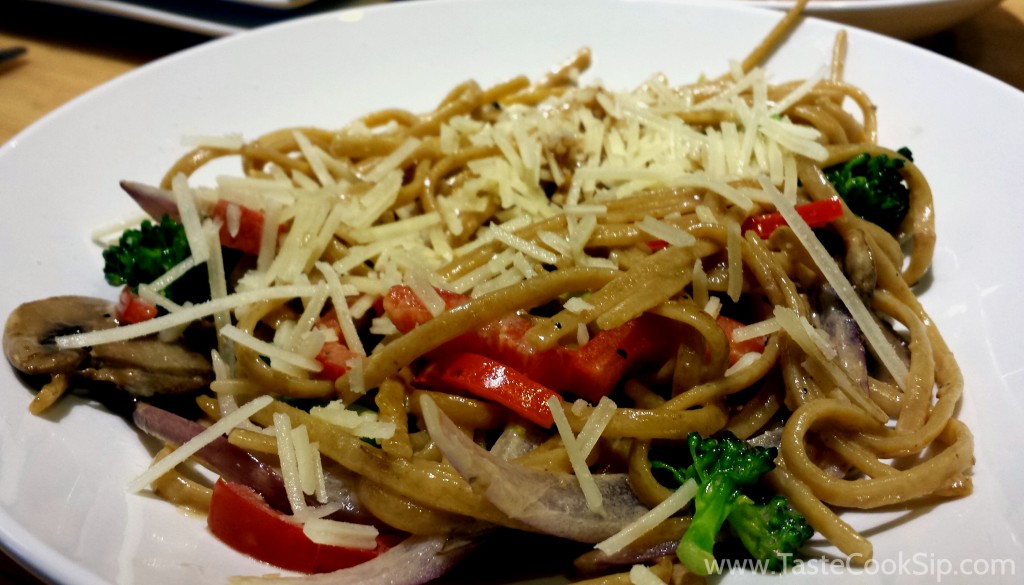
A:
x,y
417,560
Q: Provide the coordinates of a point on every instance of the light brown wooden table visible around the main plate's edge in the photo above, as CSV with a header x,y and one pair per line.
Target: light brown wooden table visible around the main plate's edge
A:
x,y
72,52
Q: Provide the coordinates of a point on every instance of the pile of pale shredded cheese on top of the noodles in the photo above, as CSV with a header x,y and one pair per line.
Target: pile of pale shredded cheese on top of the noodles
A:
x,y
620,144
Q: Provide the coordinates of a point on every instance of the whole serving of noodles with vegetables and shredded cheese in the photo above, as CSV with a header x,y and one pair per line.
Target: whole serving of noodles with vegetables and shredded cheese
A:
x,y
669,326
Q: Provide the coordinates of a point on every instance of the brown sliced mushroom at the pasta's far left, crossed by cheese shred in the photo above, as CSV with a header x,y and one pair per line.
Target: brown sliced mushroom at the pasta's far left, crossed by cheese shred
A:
x,y
143,367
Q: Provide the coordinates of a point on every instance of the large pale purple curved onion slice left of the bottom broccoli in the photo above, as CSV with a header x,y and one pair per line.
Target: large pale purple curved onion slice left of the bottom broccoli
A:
x,y
550,504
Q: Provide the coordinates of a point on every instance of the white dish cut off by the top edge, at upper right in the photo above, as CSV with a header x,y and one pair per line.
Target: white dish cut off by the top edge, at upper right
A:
x,y
902,19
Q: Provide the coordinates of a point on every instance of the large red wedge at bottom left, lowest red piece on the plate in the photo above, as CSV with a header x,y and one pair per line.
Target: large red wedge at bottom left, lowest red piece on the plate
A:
x,y
241,519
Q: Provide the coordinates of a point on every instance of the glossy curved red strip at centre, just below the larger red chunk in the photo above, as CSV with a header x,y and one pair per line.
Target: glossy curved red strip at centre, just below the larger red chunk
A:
x,y
492,381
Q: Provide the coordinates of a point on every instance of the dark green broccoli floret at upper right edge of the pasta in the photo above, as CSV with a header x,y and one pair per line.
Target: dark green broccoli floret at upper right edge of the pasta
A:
x,y
874,188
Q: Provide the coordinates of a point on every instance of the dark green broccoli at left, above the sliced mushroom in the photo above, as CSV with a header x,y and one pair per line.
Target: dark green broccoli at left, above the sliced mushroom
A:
x,y
143,256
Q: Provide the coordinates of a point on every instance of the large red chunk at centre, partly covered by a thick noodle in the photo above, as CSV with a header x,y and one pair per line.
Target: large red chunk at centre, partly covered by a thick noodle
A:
x,y
589,372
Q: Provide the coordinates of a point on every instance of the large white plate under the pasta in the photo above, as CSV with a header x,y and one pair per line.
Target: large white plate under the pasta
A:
x,y
64,510
